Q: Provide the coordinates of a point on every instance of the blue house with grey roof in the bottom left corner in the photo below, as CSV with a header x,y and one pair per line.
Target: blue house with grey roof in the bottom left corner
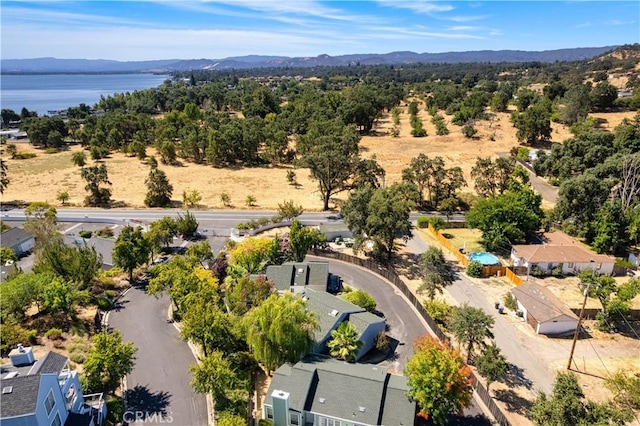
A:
x,y
45,392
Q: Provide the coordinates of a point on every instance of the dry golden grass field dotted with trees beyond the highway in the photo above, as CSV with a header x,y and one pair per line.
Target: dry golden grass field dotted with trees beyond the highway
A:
x,y
43,177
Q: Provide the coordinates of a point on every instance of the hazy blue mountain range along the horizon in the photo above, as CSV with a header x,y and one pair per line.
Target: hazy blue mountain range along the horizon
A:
x,y
53,65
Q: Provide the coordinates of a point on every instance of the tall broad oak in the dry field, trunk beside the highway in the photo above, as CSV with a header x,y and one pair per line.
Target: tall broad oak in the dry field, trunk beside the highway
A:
x,y
330,151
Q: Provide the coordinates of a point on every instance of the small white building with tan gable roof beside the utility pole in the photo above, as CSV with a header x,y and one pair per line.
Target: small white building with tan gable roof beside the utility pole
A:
x,y
543,310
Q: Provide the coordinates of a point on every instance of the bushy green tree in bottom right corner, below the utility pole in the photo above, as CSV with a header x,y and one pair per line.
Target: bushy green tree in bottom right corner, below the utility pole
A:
x,y
566,406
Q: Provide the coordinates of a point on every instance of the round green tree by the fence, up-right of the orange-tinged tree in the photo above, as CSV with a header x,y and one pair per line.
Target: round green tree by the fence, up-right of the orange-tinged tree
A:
x,y
471,326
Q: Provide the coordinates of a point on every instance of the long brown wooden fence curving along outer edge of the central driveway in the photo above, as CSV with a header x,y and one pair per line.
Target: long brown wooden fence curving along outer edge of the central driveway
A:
x,y
392,276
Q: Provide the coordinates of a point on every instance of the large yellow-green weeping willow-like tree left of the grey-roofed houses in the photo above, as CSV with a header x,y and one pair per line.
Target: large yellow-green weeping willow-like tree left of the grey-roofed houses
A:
x,y
280,330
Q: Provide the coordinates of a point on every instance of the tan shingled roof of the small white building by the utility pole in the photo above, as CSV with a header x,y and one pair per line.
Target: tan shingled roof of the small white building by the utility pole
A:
x,y
541,303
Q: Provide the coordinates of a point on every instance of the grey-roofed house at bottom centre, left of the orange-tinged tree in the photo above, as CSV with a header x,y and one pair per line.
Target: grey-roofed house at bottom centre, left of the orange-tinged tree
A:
x,y
322,391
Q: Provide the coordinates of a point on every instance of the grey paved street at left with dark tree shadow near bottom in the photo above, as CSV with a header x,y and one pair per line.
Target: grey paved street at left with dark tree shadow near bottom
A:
x,y
159,384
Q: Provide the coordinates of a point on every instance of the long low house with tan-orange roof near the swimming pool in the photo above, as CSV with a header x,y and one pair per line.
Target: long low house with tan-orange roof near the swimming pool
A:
x,y
561,252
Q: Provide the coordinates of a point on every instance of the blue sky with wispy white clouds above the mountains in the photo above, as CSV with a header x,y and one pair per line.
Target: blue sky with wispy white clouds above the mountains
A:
x,y
188,29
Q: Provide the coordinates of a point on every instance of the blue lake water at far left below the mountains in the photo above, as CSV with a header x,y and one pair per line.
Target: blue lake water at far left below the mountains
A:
x,y
53,92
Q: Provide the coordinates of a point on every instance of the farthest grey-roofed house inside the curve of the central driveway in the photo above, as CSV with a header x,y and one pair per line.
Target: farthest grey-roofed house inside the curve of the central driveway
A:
x,y
296,277
